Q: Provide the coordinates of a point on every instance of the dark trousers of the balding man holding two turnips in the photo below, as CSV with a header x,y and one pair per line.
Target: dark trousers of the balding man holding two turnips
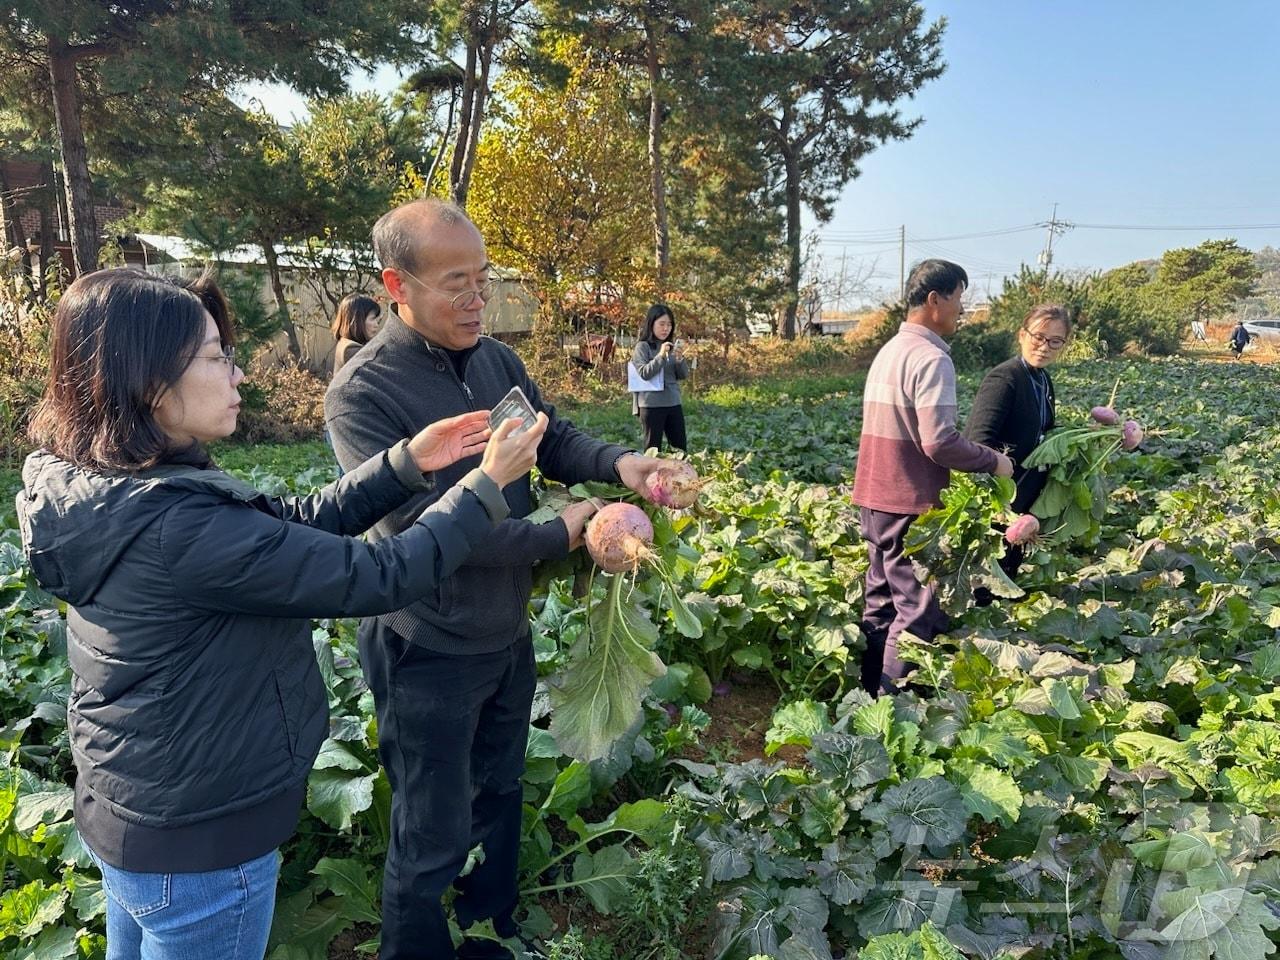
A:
x,y
451,734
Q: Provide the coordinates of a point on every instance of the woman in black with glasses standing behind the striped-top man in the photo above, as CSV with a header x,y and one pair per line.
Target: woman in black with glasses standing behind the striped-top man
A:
x,y
1016,405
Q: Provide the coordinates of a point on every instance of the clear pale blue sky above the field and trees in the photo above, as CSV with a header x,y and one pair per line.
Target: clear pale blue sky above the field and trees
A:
x,y
1141,113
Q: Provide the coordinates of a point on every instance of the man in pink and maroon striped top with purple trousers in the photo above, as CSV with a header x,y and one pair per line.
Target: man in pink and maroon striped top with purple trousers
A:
x,y
908,450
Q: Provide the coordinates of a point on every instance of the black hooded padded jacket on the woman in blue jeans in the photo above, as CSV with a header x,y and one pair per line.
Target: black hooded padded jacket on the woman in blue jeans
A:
x,y
198,707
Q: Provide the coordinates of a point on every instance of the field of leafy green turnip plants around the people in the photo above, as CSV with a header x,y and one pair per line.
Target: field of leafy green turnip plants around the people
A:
x,y
1087,770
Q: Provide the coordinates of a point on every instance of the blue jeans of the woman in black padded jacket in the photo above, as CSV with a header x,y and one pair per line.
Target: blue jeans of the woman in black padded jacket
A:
x,y
216,916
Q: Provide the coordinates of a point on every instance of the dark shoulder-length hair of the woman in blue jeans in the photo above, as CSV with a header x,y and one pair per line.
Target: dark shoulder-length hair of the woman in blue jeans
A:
x,y
120,340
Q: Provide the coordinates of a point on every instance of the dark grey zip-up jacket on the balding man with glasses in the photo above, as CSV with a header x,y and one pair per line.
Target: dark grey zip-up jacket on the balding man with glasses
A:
x,y
399,378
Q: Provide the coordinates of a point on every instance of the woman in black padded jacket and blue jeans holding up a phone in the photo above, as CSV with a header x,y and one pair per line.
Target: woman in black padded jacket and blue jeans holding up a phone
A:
x,y
198,708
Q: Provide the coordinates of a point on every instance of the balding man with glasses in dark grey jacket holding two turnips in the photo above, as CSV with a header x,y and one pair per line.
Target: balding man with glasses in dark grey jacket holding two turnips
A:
x,y
454,676
